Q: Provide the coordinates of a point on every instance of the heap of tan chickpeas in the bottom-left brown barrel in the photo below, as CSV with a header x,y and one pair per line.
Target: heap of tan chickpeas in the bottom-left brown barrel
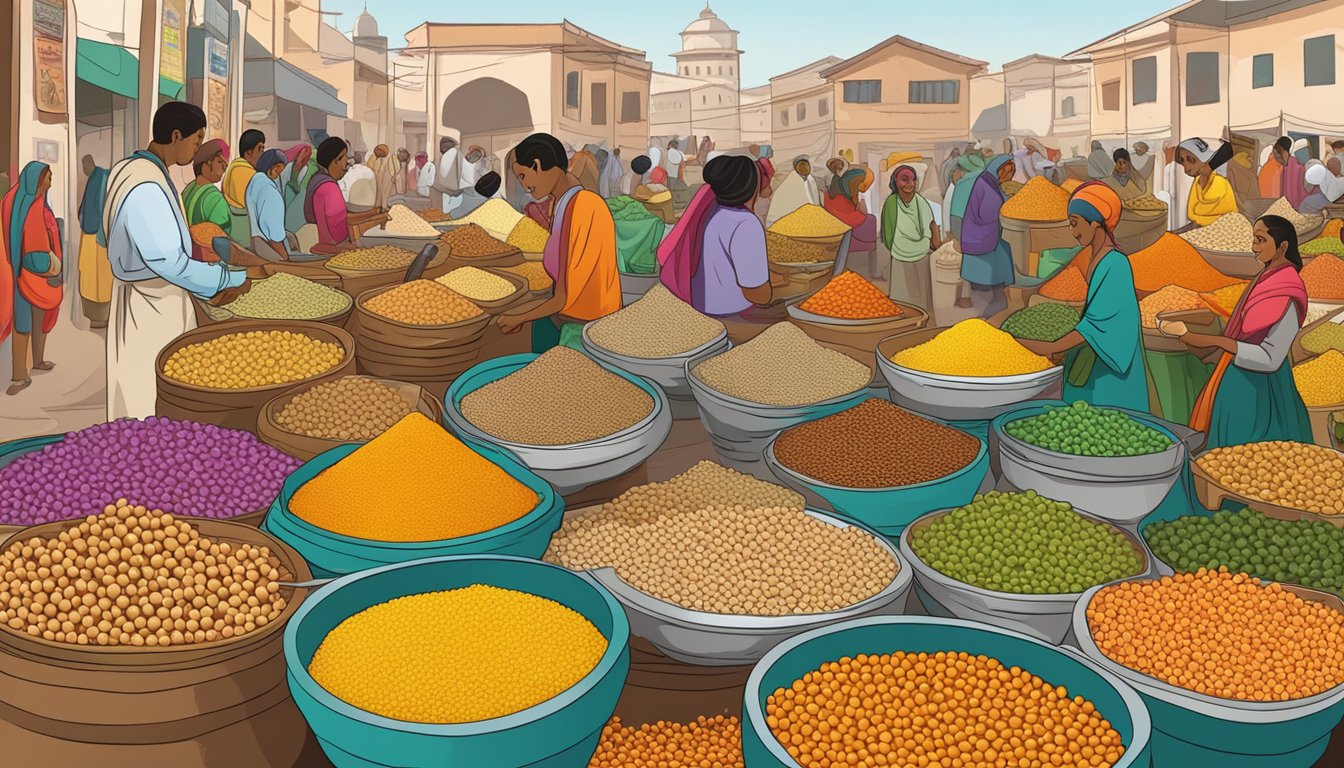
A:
x,y
138,578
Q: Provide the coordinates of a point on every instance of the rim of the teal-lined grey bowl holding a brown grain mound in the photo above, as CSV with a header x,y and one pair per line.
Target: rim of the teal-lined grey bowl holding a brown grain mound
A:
x,y
456,420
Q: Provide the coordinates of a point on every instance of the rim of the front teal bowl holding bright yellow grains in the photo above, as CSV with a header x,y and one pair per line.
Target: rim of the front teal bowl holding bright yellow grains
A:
x,y
616,646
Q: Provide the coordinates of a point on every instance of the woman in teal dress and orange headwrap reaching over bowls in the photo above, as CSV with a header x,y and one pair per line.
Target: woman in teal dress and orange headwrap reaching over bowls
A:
x,y
1104,356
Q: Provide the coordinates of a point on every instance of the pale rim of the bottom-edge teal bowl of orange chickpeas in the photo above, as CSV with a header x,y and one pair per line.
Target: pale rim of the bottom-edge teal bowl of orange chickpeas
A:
x,y
755,712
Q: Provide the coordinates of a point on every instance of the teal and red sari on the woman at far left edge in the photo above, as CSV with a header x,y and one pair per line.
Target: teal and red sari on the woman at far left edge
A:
x,y
32,244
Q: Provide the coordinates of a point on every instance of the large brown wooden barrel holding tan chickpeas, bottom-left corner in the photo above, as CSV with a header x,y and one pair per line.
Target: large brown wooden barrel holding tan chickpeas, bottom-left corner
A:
x,y
213,704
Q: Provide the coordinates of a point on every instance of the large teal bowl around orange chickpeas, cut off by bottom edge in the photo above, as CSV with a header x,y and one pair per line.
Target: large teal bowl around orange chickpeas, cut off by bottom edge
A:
x,y
792,660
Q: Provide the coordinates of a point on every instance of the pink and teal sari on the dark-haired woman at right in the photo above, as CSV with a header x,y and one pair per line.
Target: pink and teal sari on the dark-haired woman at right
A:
x,y
1241,407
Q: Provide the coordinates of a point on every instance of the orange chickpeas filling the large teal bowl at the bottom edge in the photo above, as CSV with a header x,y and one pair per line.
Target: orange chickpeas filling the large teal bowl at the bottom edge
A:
x,y
936,709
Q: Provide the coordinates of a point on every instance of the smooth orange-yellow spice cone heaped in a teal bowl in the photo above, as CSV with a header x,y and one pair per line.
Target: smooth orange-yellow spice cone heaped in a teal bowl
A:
x,y
415,482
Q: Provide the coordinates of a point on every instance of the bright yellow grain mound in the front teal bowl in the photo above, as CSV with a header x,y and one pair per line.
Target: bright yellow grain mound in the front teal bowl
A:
x,y
462,656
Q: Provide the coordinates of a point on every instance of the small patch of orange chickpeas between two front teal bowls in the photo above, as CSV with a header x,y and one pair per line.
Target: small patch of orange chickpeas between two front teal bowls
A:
x,y
708,743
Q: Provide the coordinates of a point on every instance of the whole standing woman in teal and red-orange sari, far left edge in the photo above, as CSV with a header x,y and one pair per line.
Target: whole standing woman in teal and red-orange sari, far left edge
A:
x,y
30,286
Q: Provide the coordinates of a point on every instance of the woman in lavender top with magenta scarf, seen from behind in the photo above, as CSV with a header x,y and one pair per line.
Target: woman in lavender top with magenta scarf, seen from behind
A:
x,y
716,256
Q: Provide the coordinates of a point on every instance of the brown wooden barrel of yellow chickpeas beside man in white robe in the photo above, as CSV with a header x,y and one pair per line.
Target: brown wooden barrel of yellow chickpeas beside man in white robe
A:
x,y
239,408
